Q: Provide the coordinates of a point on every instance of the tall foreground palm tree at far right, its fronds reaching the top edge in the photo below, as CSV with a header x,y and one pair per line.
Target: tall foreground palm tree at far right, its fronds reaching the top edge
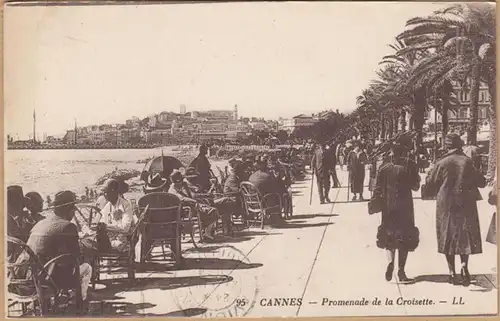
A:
x,y
466,35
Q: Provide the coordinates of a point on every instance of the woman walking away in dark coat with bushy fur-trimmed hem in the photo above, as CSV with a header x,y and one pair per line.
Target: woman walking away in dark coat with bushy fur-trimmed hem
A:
x,y
393,189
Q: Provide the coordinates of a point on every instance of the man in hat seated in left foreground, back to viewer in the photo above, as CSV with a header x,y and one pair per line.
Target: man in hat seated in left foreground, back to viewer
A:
x,y
56,235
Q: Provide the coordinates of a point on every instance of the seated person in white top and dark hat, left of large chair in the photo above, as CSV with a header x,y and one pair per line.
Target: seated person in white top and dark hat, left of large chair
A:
x,y
117,216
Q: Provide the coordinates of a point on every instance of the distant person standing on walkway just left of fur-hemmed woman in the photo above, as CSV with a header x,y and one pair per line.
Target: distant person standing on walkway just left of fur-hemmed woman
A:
x,y
356,161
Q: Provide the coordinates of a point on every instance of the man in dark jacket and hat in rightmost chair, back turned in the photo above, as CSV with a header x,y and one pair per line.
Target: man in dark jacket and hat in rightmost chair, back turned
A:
x,y
267,183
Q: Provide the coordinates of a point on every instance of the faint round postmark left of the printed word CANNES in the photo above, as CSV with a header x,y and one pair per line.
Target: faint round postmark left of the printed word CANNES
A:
x,y
217,281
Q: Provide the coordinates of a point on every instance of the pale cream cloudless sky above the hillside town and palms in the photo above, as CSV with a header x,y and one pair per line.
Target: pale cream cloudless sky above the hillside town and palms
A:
x,y
105,64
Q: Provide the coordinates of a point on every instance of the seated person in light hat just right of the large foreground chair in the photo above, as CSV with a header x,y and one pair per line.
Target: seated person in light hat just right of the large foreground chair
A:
x,y
208,214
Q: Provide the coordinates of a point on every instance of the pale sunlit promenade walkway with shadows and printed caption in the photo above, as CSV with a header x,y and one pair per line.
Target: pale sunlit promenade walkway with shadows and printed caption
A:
x,y
326,252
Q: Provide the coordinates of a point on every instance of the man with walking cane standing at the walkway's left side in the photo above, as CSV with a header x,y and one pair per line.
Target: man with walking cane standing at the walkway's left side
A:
x,y
321,165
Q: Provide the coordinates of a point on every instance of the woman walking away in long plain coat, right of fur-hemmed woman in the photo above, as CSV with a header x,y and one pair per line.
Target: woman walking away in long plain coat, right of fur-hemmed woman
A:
x,y
455,181
